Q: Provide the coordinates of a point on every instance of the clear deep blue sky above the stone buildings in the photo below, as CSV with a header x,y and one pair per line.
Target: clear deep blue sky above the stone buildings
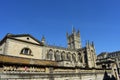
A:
x,y
97,20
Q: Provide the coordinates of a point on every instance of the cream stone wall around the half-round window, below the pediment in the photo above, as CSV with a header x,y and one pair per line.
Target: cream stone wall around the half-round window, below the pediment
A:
x,y
14,48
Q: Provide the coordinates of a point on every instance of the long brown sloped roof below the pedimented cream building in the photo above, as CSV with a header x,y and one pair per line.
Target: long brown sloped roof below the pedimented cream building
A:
x,y
27,61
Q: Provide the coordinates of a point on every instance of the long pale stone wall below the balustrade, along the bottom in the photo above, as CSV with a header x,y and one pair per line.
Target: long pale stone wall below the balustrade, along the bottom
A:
x,y
83,75
